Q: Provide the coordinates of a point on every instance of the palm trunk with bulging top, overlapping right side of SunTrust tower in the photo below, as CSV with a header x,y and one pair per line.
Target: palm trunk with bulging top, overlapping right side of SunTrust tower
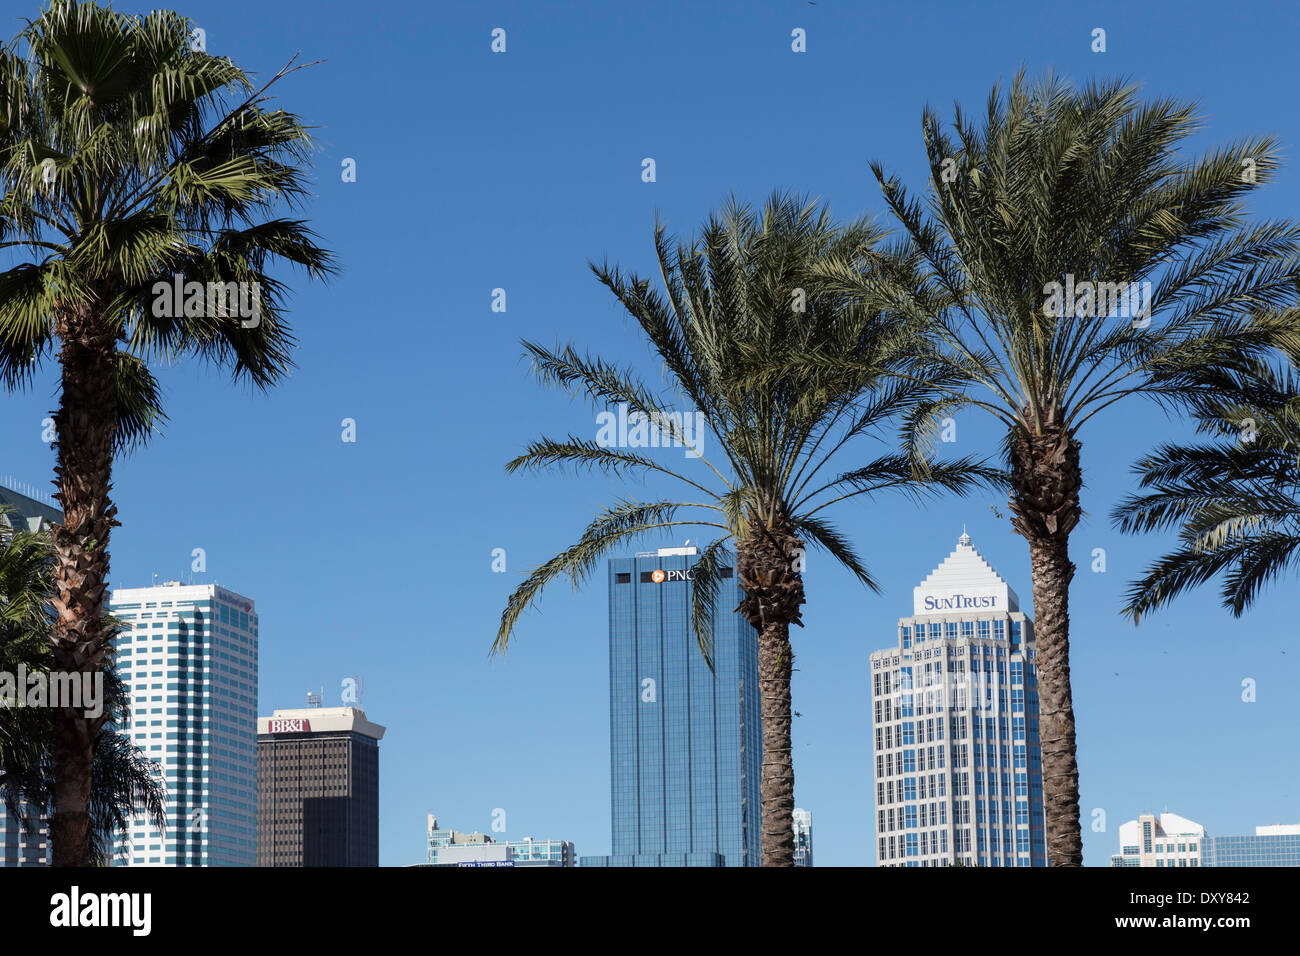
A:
x,y
1046,482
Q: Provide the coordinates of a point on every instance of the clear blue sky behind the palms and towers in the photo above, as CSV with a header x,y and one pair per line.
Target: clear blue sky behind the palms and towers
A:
x,y
480,171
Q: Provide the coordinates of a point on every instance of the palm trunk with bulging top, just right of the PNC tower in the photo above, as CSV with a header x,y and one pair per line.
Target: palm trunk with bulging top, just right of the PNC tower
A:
x,y
774,594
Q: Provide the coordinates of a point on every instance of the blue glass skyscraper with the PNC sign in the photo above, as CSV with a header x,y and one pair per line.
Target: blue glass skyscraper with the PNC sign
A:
x,y
686,742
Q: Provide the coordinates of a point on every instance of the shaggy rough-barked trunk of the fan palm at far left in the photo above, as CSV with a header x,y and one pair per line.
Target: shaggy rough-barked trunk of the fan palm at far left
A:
x,y
85,426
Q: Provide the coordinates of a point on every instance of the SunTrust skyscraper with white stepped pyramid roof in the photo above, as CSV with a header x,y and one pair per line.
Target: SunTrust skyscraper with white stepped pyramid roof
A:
x,y
956,720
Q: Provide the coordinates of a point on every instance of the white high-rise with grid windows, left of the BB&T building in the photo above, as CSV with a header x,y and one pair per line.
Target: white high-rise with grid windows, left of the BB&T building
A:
x,y
190,661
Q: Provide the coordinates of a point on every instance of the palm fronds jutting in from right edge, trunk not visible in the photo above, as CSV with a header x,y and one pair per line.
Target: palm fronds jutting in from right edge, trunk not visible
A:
x,y
1236,500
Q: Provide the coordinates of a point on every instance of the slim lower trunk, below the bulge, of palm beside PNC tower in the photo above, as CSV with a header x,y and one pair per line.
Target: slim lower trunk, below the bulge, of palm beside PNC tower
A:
x,y
777,785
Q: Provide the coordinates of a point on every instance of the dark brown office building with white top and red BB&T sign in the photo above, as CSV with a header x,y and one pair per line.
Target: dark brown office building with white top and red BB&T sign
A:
x,y
319,789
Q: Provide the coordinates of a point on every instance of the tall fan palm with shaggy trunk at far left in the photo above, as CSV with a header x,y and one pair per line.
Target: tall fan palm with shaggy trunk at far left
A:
x,y
132,165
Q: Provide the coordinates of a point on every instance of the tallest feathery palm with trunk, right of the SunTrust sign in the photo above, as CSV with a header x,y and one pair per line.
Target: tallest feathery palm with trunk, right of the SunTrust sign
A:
x,y
1069,258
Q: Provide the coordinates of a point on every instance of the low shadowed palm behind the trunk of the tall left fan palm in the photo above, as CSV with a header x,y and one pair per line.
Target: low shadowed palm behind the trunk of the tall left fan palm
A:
x,y
125,780
